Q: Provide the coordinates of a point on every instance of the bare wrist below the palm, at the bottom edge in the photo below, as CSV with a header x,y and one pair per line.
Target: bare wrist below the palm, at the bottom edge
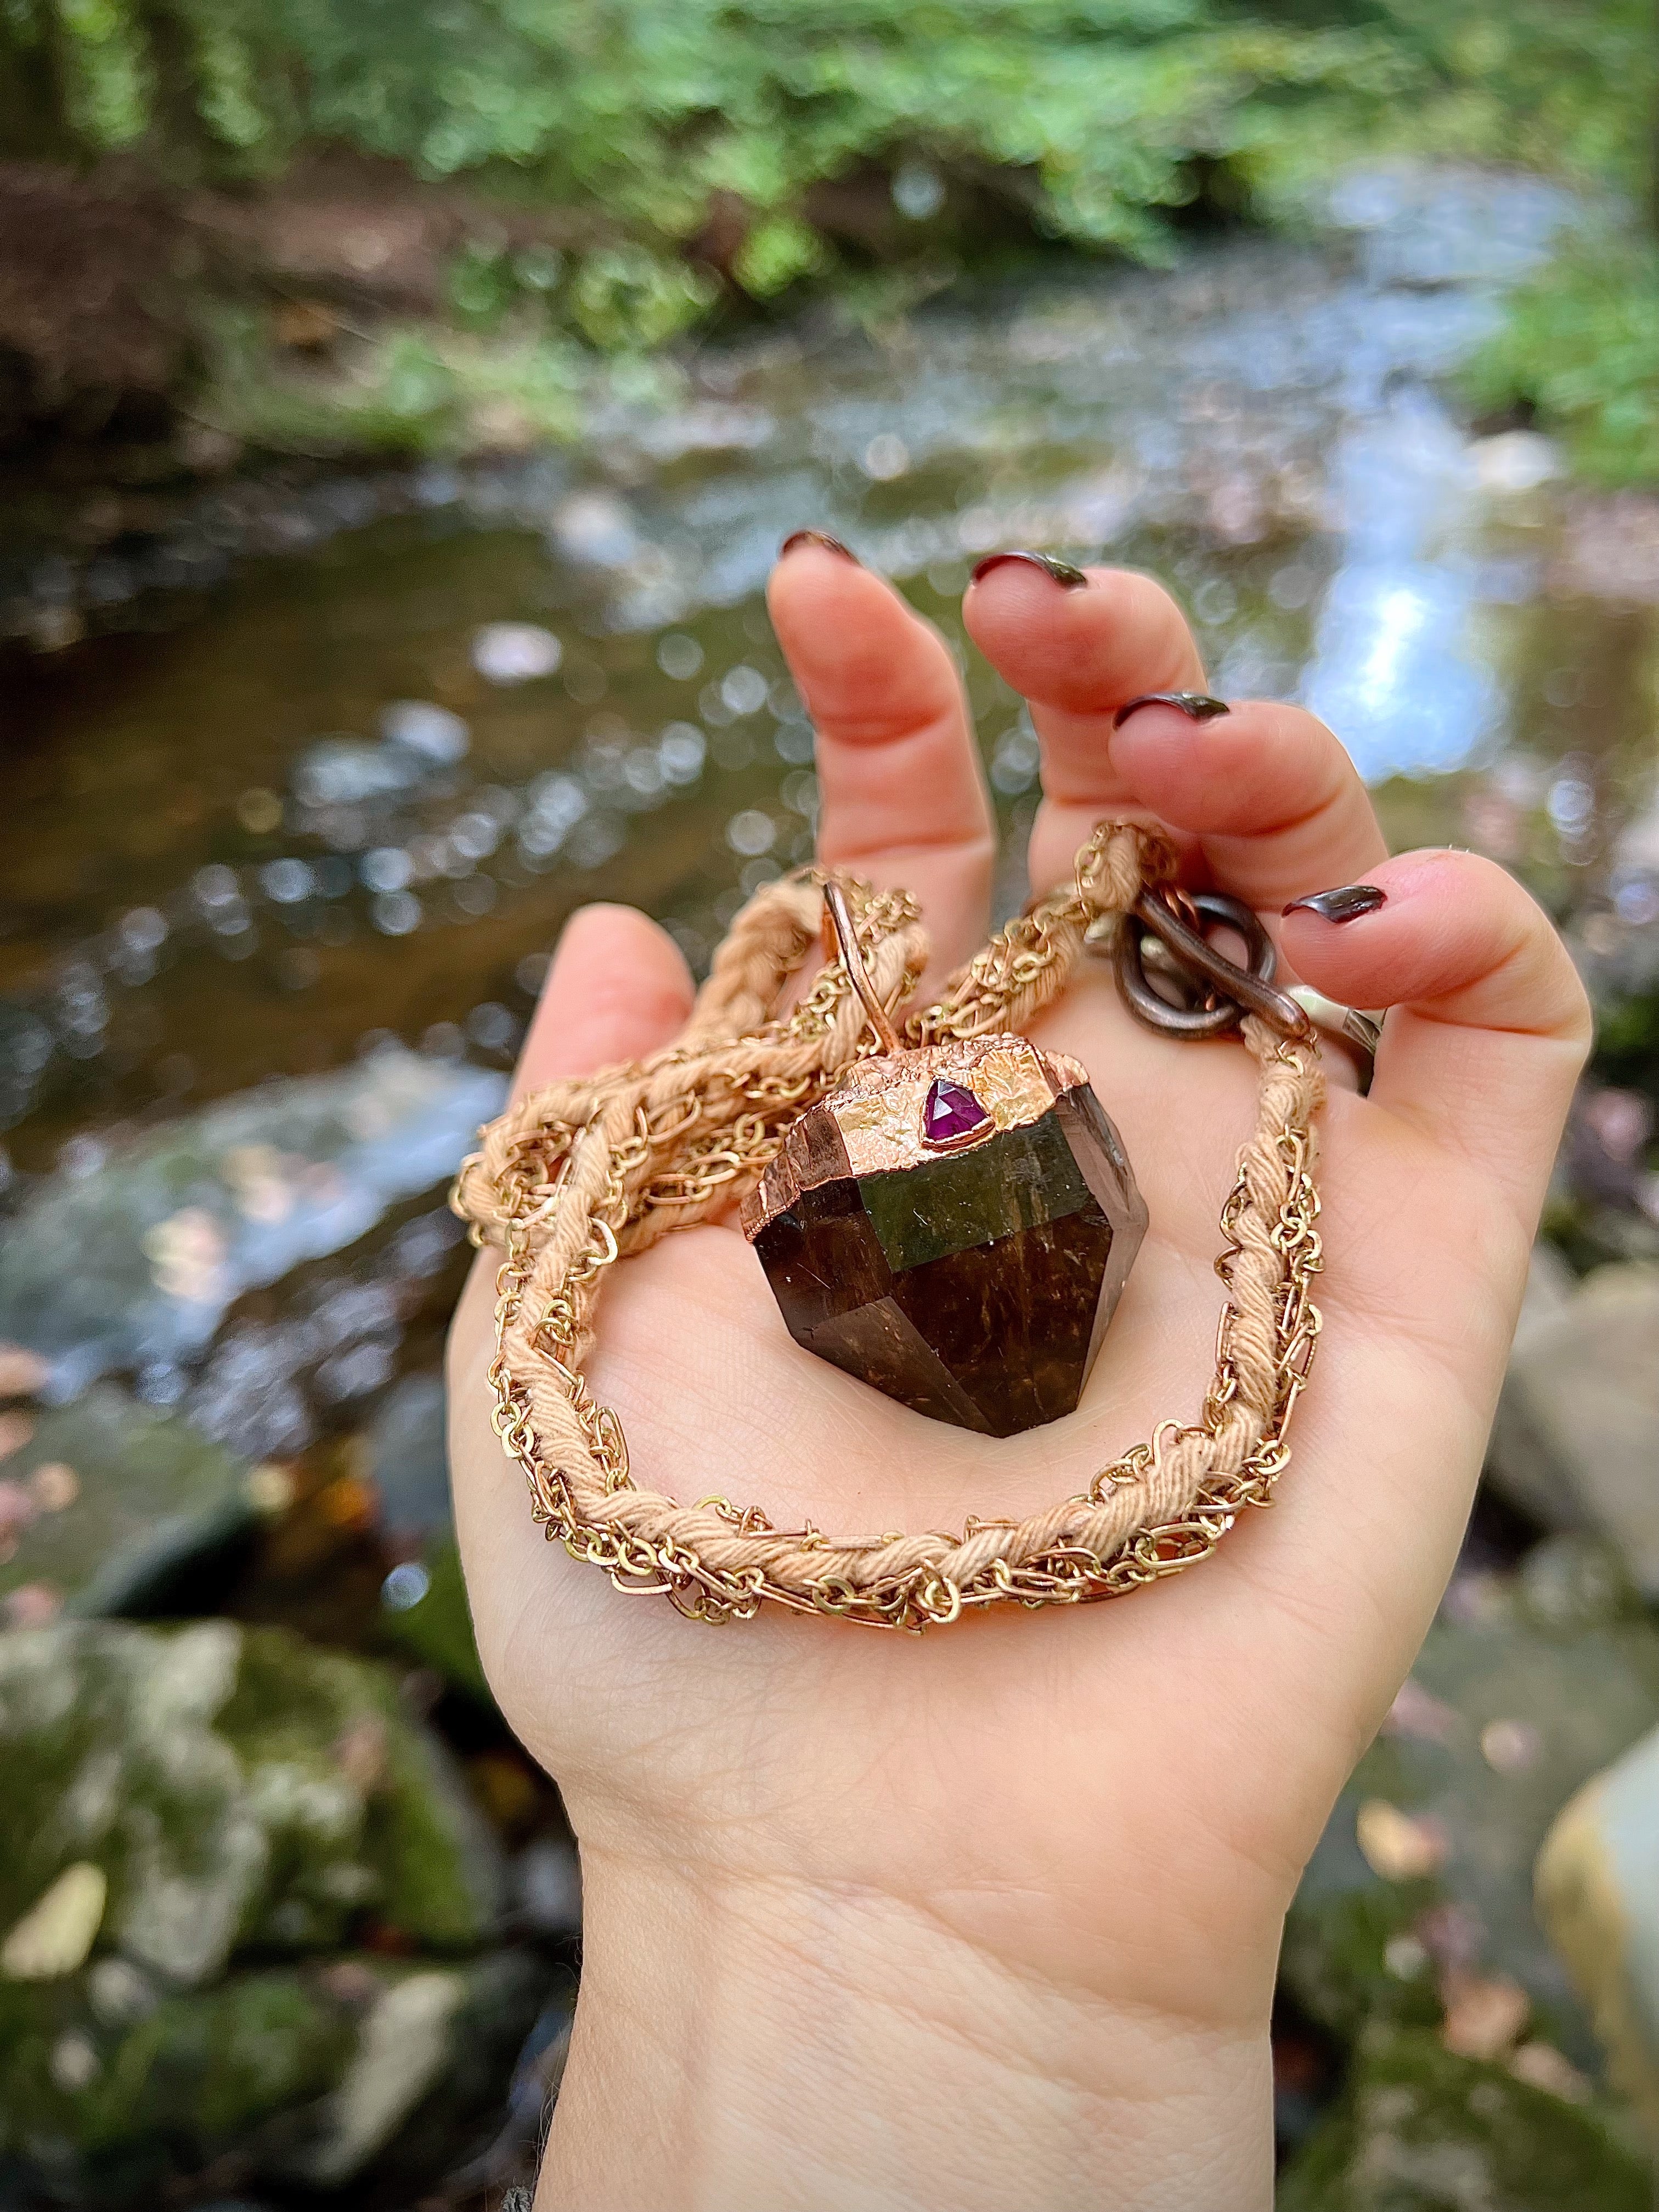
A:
x,y
751,2043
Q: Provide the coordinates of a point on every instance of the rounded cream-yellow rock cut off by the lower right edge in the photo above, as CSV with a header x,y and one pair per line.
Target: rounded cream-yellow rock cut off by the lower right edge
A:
x,y
1598,1895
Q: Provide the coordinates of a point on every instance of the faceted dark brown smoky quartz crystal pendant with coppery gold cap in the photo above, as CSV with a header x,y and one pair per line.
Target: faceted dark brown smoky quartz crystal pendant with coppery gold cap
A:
x,y
970,1284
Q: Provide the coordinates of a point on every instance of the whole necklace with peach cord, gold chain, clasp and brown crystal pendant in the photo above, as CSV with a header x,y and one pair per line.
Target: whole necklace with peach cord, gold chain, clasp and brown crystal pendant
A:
x,y
1025,1202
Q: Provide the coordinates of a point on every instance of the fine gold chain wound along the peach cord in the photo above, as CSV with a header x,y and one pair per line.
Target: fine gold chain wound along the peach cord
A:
x,y
718,1147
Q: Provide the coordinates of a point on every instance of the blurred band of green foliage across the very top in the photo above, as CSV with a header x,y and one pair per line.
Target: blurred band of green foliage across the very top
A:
x,y
1098,116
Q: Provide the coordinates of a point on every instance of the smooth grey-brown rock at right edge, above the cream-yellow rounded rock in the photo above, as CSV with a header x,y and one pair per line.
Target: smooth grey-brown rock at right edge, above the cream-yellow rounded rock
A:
x,y
1578,1428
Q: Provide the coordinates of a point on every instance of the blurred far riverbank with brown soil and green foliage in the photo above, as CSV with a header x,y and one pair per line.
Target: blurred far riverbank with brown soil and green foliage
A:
x,y
384,236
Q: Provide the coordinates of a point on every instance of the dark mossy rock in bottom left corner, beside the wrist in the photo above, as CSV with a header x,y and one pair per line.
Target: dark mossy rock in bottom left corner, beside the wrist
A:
x,y
286,2076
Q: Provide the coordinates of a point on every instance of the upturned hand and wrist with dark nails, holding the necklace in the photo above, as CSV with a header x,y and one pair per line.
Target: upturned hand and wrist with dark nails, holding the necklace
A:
x,y
992,1917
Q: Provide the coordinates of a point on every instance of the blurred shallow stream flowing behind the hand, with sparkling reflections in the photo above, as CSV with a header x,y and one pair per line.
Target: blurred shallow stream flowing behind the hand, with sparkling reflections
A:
x,y
317,778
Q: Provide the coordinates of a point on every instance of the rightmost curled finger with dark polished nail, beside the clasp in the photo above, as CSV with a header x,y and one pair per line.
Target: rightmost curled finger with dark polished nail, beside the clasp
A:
x,y
1490,1023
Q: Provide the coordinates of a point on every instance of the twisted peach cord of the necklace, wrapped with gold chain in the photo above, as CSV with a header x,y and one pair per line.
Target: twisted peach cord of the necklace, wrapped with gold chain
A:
x,y
596,1169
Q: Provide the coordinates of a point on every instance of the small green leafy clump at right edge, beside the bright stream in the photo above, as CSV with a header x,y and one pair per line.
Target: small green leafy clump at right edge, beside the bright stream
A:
x,y
1580,351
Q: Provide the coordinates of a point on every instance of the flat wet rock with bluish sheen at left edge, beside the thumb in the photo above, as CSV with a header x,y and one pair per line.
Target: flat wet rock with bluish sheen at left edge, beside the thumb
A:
x,y
171,1229
